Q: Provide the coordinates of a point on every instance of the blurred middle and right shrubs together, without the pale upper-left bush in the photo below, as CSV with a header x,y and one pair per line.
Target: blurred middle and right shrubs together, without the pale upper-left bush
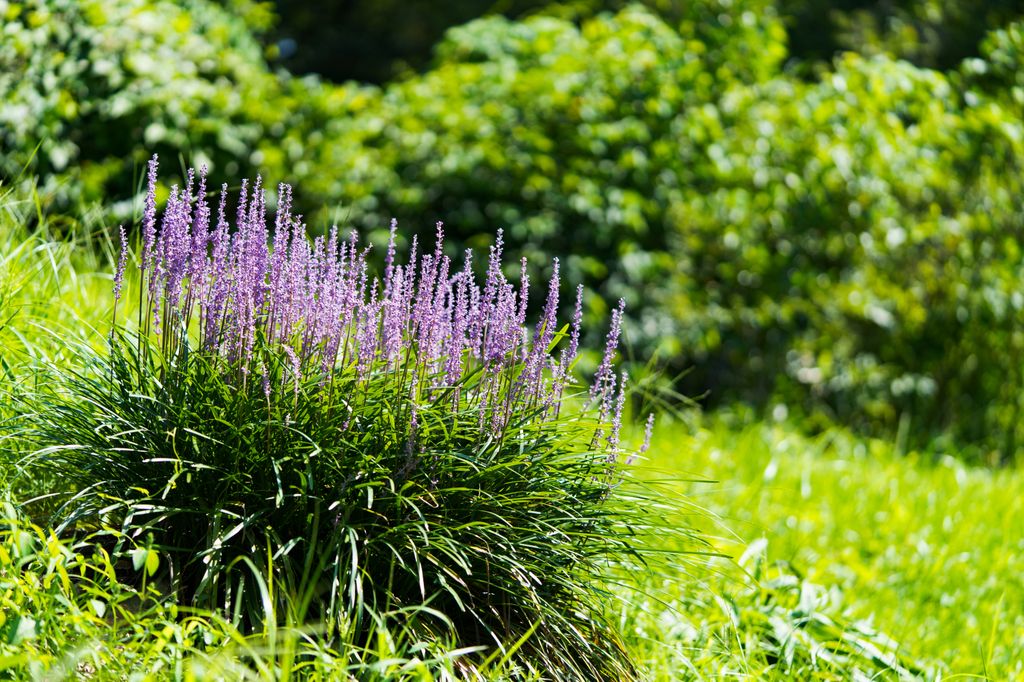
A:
x,y
848,246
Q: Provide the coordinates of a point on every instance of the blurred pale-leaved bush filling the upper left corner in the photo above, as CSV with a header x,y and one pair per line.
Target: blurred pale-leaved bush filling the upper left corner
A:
x,y
89,91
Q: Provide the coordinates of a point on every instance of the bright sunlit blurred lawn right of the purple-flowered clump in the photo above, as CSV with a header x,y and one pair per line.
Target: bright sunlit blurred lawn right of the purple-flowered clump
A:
x,y
932,552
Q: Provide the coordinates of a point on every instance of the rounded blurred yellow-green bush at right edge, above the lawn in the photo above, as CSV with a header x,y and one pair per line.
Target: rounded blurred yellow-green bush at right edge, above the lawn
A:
x,y
857,248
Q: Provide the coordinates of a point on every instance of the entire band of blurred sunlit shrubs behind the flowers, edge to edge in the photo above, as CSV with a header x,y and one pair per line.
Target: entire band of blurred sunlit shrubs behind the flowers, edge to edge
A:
x,y
848,244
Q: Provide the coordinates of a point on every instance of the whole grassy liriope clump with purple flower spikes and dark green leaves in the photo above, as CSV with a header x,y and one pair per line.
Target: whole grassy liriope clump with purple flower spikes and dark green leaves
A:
x,y
395,453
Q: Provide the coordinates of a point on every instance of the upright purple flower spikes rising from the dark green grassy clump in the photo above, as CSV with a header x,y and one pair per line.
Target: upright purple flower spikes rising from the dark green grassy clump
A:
x,y
235,290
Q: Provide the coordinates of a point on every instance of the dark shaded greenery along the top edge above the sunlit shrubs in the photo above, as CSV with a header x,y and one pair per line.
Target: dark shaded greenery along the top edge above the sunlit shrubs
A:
x,y
375,40
